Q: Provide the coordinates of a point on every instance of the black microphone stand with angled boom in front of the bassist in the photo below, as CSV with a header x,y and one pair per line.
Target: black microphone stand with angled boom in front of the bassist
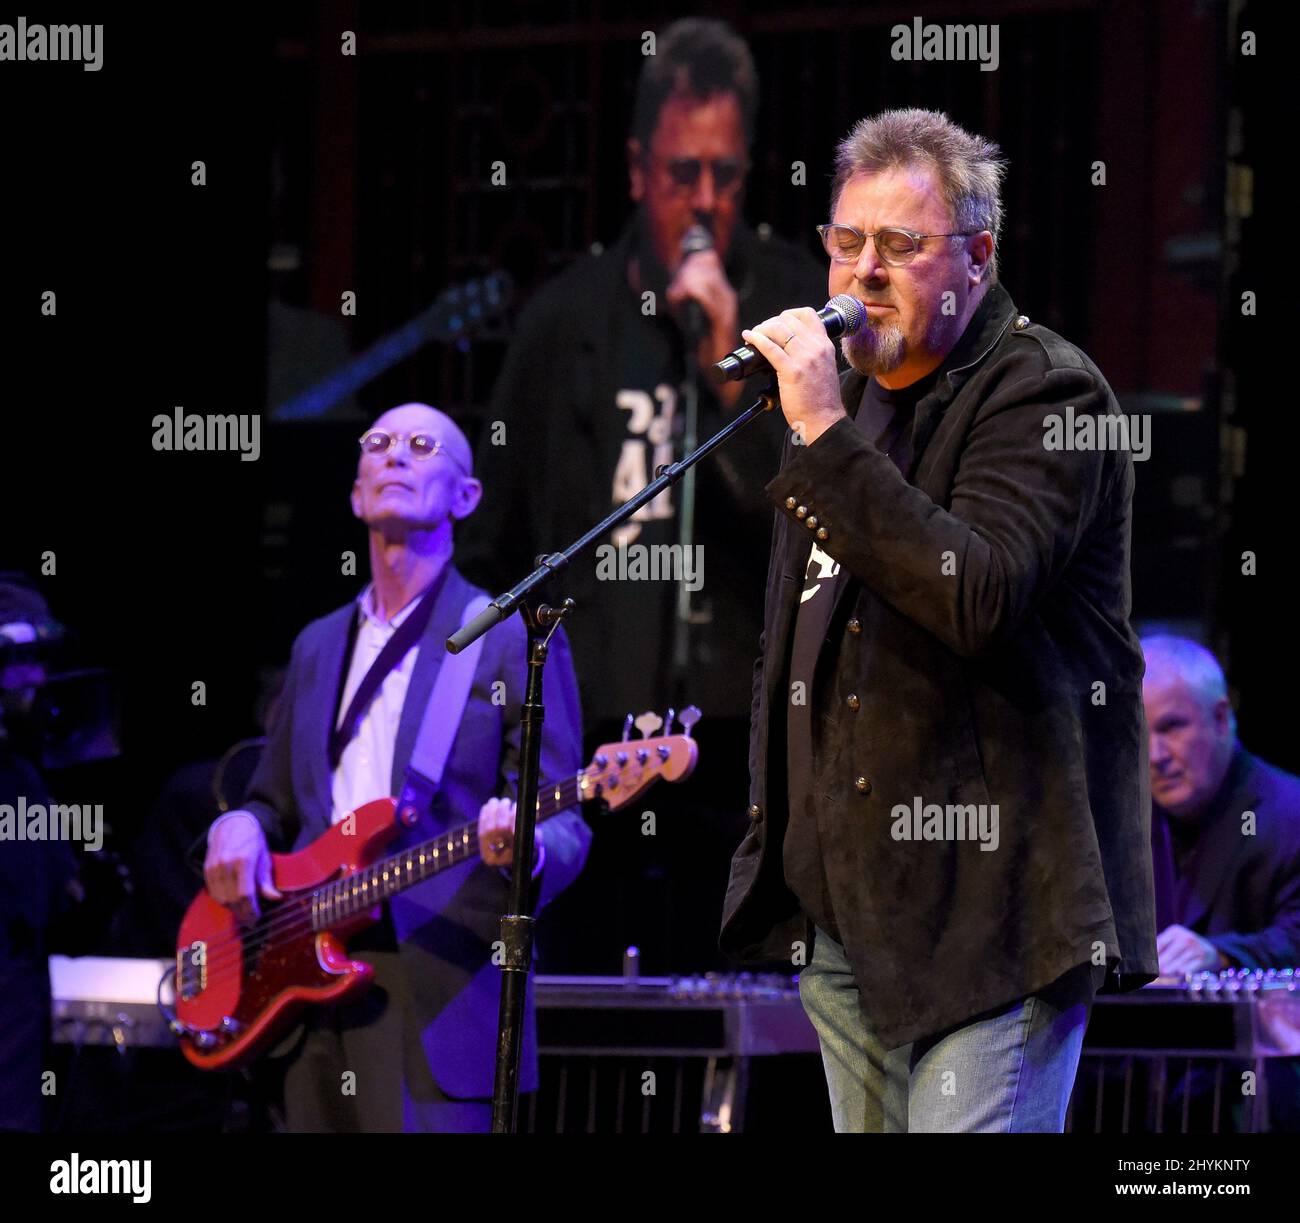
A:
x,y
540,619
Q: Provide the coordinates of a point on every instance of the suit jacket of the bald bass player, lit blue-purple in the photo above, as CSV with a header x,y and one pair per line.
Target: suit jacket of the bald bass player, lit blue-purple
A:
x,y
448,925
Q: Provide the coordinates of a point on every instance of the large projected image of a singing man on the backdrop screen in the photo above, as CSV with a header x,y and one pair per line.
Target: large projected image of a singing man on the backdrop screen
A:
x,y
592,401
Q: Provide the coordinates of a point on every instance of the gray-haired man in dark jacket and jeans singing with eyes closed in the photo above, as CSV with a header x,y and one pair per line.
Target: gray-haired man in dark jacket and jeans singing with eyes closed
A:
x,y
950,786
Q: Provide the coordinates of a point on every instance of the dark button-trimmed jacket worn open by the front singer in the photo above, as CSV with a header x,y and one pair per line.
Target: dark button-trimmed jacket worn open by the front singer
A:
x,y
982,656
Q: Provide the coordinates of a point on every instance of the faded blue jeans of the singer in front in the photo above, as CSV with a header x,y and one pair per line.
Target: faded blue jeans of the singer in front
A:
x,y
1009,1072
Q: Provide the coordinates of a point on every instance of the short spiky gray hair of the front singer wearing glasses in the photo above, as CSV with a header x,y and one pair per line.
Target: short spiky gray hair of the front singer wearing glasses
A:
x,y
970,168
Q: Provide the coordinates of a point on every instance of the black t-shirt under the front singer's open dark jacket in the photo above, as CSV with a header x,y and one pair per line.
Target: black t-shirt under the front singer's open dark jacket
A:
x,y
886,418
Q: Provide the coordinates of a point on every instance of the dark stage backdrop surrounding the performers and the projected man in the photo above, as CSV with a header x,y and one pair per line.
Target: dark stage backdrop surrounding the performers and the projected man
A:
x,y
371,174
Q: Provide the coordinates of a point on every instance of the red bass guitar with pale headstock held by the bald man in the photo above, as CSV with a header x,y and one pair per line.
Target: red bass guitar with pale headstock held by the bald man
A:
x,y
239,990
